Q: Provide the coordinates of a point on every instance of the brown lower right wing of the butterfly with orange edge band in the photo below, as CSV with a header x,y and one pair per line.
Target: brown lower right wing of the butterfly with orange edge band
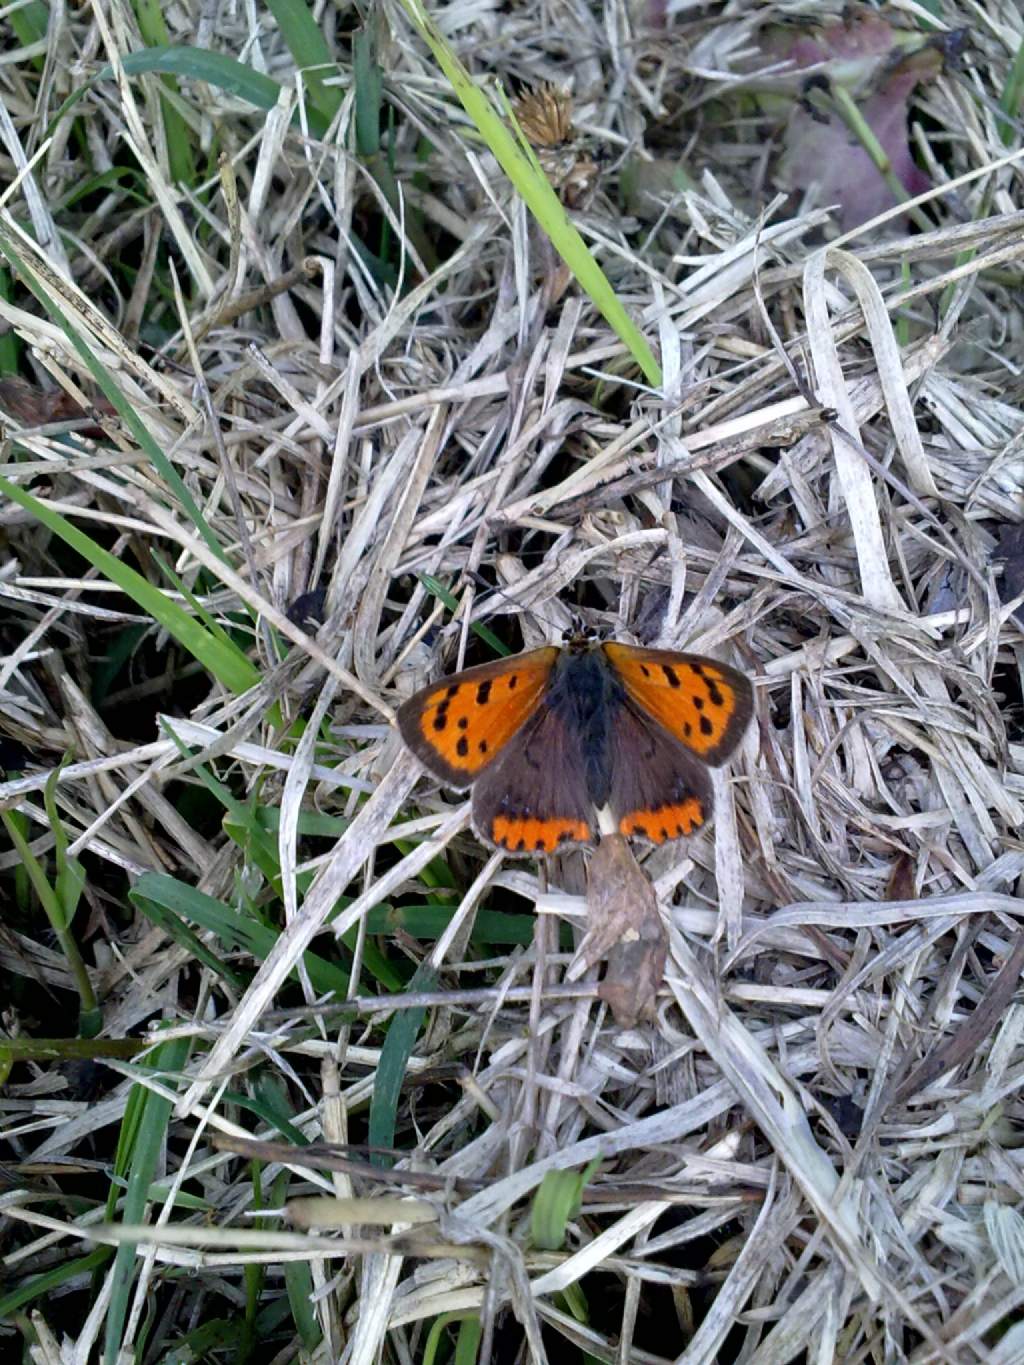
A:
x,y
659,790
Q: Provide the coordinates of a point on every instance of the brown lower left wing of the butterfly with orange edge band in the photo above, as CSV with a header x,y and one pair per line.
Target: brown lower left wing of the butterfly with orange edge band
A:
x,y
535,798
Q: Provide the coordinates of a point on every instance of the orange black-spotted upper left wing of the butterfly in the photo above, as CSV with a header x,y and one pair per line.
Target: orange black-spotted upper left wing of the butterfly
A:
x,y
461,725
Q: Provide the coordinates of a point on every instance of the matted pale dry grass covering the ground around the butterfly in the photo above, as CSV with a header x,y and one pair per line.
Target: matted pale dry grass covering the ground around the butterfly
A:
x,y
813,1154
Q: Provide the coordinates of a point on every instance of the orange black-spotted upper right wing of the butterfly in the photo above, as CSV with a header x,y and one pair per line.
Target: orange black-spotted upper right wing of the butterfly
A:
x,y
704,704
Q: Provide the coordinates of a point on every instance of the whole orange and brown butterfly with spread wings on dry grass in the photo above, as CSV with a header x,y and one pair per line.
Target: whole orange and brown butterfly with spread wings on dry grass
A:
x,y
552,736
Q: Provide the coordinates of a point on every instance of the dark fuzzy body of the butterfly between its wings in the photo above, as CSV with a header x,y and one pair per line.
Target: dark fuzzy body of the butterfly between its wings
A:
x,y
586,694
